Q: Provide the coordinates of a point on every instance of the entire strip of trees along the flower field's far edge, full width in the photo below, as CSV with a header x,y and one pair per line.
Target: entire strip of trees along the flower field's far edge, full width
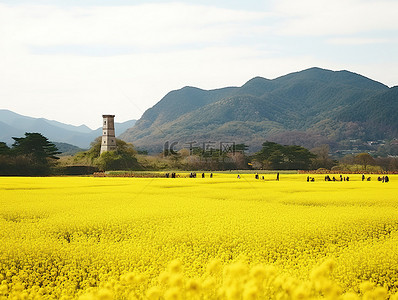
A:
x,y
34,155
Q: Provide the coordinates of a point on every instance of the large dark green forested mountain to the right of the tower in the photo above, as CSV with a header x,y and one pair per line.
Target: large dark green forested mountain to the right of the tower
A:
x,y
308,108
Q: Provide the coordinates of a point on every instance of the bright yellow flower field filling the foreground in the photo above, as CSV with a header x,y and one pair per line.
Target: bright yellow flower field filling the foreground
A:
x,y
195,238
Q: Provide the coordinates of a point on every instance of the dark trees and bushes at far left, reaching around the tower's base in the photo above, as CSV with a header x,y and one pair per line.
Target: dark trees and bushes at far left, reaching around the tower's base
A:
x,y
35,155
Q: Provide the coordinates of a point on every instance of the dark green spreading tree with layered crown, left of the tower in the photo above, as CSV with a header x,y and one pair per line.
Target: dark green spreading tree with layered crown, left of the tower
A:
x,y
36,146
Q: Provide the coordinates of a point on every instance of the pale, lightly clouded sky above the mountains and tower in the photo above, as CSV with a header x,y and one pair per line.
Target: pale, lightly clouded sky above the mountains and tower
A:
x,y
75,60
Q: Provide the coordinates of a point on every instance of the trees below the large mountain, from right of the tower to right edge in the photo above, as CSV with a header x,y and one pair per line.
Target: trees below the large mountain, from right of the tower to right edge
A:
x,y
272,156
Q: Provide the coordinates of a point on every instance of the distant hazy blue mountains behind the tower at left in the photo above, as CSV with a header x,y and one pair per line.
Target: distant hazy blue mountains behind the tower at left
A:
x,y
15,125
